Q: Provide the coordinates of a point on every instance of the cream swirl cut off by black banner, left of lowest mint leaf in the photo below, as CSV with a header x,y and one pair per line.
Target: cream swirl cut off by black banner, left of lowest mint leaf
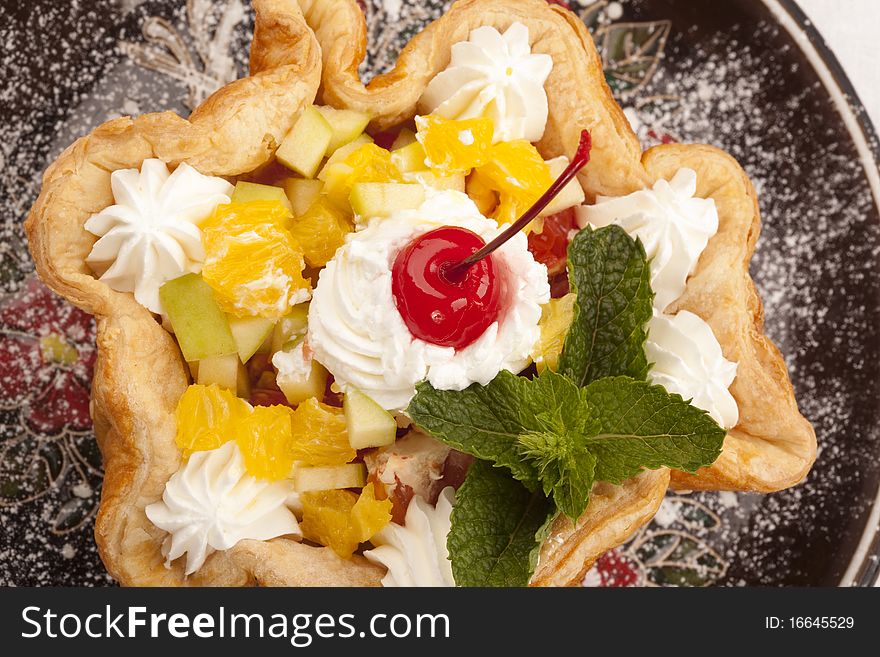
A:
x,y
415,554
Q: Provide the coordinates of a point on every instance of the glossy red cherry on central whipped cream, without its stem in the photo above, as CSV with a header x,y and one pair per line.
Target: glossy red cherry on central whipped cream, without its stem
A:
x,y
450,309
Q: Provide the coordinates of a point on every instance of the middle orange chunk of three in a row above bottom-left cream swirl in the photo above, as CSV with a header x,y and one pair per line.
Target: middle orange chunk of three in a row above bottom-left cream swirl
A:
x,y
266,442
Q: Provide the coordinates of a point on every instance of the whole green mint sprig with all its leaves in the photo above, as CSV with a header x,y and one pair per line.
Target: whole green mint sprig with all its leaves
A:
x,y
557,434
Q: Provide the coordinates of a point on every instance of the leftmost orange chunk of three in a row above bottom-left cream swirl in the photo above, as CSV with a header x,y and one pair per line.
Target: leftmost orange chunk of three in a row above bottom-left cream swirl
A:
x,y
207,417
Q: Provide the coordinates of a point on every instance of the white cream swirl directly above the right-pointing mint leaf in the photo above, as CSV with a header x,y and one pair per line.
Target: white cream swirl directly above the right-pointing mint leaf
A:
x,y
687,360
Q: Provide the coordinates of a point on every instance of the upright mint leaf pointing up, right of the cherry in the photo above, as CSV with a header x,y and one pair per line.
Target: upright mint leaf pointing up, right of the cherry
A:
x,y
610,274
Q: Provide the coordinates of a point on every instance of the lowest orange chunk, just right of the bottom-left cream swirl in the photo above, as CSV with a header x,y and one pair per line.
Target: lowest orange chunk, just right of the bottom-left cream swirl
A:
x,y
341,520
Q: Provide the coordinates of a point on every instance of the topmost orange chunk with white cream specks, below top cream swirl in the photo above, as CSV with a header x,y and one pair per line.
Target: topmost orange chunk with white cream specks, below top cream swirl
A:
x,y
455,146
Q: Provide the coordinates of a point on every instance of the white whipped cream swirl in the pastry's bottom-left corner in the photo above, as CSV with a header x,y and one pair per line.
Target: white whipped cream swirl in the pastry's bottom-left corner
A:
x,y
212,503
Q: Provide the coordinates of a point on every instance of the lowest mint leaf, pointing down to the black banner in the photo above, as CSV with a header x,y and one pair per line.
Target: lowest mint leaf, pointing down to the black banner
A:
x,y
495,528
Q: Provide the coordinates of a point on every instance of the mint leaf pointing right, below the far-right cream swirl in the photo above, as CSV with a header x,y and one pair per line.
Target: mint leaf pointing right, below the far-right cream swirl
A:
x,y
638,425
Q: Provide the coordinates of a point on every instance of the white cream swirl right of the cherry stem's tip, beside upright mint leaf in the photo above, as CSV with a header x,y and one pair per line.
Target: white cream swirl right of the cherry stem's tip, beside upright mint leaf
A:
x,y
673,225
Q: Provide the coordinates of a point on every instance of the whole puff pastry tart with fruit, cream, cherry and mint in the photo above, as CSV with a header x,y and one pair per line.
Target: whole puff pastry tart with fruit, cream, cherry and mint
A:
x,y
312,369
